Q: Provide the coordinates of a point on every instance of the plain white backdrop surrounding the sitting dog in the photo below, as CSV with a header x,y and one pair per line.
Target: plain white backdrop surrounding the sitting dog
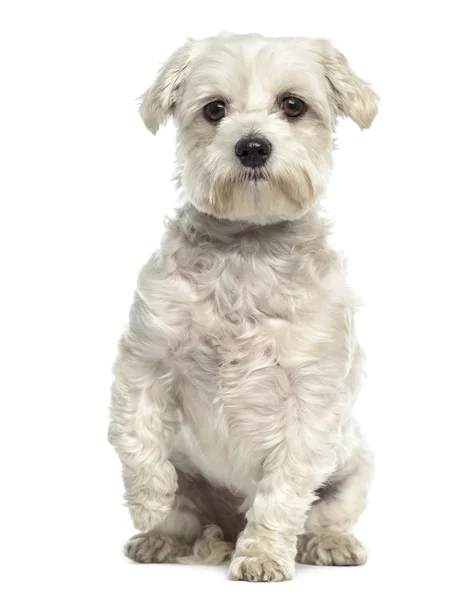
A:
x,y
84,188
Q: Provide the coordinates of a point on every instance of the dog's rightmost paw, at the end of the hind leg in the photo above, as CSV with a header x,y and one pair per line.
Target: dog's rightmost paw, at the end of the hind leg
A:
x,y
331,548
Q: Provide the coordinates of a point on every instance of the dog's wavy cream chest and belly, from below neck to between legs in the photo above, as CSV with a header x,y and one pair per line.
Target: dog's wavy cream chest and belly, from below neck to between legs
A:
x,y
247,316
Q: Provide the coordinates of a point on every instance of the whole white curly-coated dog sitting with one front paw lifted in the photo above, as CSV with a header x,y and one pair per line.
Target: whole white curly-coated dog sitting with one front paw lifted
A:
x,y
235,380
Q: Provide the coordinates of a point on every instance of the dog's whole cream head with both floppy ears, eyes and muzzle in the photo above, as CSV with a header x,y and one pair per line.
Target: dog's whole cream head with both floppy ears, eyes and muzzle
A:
x,y
255,120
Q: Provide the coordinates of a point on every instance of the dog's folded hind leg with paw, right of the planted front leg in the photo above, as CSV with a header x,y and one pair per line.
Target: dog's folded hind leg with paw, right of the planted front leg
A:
x,y
327,540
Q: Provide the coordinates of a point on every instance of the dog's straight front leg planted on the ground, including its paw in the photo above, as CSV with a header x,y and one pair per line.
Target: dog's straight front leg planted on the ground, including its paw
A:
x,y
291,474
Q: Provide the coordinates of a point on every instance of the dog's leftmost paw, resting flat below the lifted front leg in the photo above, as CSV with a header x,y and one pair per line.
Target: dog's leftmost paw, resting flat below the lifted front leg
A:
x,y
155,548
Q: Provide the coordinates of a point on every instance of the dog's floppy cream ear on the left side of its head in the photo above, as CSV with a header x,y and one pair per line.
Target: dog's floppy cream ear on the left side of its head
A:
x,y
159,102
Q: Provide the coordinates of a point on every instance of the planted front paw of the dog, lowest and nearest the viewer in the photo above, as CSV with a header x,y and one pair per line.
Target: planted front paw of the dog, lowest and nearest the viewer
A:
x,y
260,568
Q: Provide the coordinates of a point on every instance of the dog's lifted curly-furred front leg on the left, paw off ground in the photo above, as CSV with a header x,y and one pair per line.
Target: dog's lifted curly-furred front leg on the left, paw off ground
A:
x,y
141,430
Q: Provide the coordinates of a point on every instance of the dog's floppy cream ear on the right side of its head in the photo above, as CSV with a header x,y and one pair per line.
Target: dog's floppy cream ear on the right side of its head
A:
x,y
350,95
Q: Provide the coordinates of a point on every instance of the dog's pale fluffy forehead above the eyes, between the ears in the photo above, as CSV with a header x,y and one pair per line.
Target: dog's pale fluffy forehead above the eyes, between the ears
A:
x,y
249,72
